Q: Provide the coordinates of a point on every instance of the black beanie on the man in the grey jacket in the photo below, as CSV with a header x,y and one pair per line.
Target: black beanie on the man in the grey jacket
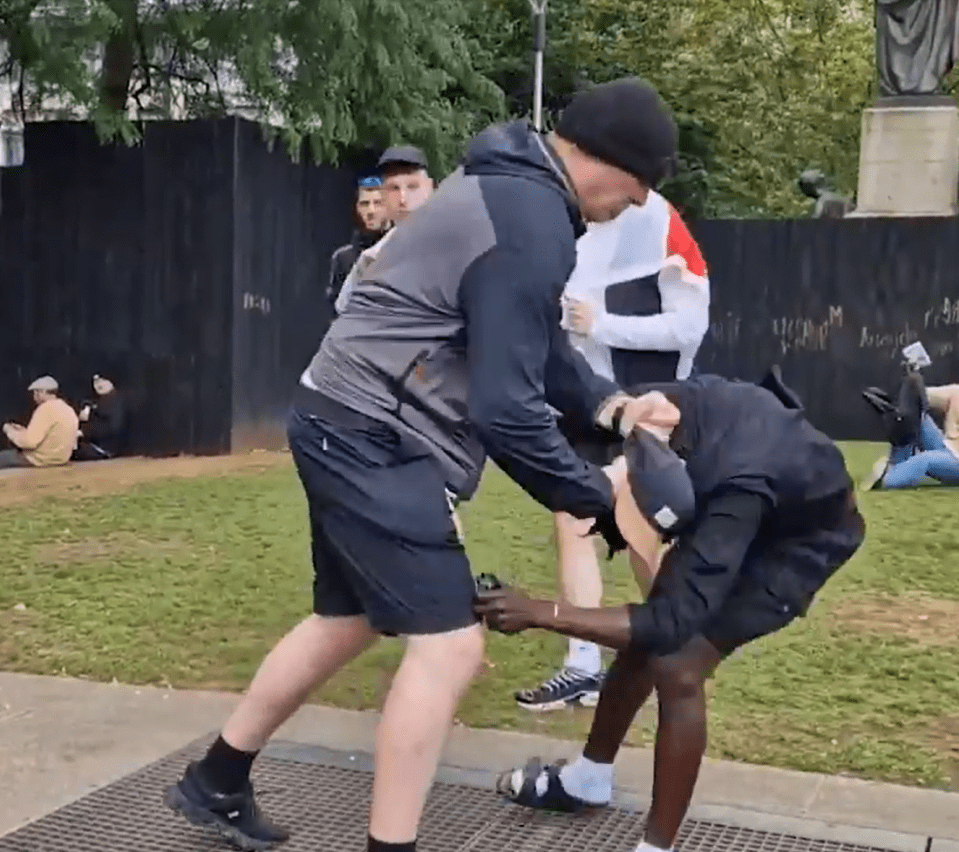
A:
x,y
624,123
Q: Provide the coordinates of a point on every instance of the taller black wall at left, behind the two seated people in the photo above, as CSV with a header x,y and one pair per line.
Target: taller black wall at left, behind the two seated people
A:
x,y
189,268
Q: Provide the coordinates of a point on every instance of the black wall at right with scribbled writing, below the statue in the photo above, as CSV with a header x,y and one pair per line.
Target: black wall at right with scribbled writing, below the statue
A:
x,y
833,302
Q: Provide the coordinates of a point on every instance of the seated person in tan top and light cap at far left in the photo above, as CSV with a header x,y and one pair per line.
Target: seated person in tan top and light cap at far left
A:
x,y
50,437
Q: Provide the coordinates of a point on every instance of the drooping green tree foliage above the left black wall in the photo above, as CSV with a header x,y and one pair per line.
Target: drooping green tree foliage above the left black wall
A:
x,y
339,73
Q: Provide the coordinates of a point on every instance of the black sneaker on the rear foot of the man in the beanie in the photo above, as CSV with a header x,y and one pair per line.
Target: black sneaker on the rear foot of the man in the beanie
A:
x,y
235,816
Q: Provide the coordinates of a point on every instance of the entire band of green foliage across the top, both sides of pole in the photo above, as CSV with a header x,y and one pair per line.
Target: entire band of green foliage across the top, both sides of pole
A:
x,y
762,89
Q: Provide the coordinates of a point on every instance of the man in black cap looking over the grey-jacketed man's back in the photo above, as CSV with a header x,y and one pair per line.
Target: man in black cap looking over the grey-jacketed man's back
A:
x,y
406,185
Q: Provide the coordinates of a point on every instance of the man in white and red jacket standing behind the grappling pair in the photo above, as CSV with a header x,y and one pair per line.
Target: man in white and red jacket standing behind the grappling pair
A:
x,y
637,308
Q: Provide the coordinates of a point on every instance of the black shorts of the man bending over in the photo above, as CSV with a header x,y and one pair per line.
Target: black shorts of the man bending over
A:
x,y
781,575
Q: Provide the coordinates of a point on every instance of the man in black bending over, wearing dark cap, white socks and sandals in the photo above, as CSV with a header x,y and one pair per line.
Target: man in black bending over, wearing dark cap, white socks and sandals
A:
x,y
760,511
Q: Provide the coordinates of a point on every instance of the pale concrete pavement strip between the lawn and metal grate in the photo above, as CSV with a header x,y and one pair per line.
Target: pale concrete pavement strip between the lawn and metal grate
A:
x,y
61,738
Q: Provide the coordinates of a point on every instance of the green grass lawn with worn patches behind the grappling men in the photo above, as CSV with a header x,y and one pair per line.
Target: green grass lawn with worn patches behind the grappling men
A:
x,y
190,582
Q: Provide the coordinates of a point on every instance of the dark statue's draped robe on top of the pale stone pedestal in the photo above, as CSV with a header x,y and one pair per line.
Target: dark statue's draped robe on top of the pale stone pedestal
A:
x,y
916,45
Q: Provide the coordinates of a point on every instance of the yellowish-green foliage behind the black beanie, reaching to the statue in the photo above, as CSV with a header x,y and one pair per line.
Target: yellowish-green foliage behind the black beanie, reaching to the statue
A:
x,y
762,88
